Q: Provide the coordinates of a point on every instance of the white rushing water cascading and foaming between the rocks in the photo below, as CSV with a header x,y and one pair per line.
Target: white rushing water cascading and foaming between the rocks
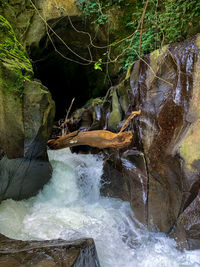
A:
x,y
70,207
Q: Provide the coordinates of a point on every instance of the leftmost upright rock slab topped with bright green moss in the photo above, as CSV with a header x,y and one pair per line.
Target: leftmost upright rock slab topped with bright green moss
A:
x,y
15,68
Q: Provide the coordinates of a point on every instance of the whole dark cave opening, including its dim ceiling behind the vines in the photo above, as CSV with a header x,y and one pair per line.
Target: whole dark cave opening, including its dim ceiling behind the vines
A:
x,y
66,79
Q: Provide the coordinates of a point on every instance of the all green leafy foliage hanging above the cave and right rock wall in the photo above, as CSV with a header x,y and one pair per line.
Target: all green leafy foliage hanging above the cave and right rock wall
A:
x,y
165,22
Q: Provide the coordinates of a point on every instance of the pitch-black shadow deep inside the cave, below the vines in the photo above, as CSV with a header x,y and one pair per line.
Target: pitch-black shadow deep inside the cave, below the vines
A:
x,y
67,80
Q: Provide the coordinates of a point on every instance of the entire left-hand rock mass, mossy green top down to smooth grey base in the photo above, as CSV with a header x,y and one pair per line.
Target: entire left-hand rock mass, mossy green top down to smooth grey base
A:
x,y
27,112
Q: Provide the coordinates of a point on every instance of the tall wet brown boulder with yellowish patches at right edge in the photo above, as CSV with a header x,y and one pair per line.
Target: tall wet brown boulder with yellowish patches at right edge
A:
x,y
165,86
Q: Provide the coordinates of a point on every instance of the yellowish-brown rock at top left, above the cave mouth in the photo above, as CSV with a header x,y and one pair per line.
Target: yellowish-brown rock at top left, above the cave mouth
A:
x,y
26,18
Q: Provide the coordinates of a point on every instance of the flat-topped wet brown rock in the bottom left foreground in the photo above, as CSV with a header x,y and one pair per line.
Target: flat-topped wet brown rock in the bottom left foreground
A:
x,y
48,253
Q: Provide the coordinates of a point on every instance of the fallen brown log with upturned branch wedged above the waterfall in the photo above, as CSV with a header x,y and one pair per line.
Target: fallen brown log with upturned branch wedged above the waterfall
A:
x,y
97,138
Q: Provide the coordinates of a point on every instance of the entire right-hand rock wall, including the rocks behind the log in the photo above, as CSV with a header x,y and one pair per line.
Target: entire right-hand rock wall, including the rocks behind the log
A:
x,y
159,173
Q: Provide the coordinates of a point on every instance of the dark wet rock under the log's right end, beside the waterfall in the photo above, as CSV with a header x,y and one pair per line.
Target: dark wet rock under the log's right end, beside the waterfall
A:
x,y
125,177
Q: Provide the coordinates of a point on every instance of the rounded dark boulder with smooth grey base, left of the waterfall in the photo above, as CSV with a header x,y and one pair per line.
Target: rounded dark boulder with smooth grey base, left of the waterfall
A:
x,y
22,177
